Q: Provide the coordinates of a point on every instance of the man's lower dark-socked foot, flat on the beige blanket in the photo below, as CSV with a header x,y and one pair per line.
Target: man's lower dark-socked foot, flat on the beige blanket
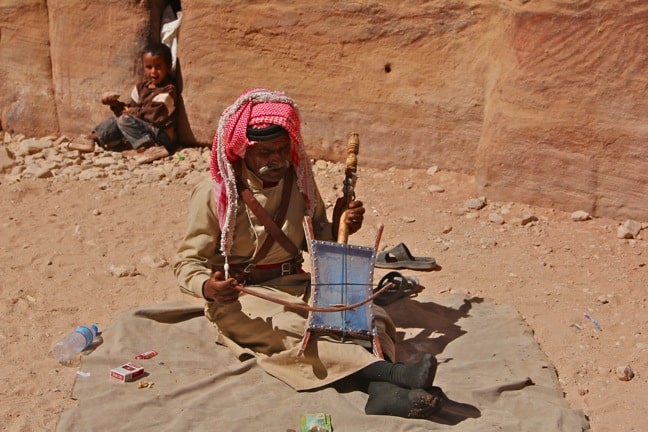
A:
x,y
389,399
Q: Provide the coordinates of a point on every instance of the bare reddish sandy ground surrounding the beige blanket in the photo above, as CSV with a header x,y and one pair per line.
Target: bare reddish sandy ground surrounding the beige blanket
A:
x,y
64,242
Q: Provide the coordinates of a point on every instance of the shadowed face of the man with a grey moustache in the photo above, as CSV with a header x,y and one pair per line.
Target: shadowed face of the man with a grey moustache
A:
x,y
269,160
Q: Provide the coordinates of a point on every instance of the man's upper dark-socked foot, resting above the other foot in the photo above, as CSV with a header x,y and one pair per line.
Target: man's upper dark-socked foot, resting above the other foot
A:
x,y
418,375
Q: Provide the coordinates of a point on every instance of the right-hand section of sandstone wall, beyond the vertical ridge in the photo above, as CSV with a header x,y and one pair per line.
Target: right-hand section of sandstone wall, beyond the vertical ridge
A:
x,y
566,117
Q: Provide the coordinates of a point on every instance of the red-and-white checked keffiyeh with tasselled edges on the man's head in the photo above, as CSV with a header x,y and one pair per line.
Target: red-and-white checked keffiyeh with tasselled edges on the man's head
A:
x,y
256,107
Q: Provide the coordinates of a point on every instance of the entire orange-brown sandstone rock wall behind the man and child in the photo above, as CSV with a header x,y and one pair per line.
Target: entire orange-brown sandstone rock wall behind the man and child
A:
x,y
543,101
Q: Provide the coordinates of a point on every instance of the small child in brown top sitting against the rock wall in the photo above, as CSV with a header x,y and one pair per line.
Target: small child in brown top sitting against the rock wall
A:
x,y
145,126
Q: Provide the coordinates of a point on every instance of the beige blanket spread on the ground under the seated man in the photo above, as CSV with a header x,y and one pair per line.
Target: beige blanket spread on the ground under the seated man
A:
x,y
491,368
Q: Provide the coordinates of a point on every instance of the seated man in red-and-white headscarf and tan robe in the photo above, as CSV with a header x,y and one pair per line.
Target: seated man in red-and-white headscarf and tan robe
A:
x,y
261,176
